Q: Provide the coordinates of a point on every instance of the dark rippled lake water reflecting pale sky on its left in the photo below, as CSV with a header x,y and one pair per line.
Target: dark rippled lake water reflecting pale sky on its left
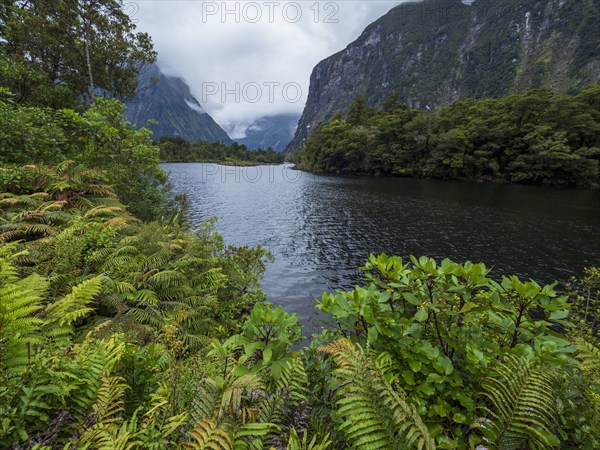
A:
x,y
320,228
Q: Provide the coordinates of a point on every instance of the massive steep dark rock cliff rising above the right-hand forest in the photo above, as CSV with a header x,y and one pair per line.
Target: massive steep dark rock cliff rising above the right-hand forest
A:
x,y
438,51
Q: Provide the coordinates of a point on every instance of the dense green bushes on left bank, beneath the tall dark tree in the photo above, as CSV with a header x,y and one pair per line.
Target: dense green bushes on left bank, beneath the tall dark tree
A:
x,y
100,138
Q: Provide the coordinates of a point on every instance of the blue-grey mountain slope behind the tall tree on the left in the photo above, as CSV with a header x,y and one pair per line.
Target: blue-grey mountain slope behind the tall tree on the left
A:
x,y
168,101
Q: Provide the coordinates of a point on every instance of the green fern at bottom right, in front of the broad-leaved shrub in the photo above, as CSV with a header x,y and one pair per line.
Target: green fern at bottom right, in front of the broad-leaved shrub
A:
x,y
522,405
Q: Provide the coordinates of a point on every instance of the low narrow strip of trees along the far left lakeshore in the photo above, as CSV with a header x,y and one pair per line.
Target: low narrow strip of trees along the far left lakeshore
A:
x,y
177,149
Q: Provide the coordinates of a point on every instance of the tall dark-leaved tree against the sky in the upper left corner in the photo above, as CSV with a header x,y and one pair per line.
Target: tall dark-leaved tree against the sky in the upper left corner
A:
x,y
75,49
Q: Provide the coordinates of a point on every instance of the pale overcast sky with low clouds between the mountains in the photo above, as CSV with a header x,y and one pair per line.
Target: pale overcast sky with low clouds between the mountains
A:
x,y
244,60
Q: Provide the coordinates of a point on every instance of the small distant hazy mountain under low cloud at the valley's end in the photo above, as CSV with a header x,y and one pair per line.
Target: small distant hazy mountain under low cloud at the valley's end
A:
x,y
275,132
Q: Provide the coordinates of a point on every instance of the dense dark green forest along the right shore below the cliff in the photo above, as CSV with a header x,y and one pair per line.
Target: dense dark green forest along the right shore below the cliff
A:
x,y
539,138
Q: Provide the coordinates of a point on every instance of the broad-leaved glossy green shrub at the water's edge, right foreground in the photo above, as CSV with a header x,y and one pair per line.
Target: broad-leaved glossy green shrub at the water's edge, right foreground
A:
x,y
441,329
